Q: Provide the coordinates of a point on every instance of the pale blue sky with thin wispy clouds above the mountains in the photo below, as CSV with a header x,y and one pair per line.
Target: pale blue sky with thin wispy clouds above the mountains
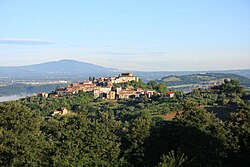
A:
x,y
145,35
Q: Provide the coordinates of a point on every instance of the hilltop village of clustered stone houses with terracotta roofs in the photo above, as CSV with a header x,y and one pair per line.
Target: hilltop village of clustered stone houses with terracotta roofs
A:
x,y
107,88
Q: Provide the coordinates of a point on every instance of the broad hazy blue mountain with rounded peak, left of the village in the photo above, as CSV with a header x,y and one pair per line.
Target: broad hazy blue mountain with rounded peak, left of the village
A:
x,y
63,69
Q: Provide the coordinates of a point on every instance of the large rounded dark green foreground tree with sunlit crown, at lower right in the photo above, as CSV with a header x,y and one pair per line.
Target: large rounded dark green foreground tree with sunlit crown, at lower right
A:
x,y
213,140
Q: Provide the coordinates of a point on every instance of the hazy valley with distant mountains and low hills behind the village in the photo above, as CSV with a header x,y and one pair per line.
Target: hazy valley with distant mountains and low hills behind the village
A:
x,y
47,76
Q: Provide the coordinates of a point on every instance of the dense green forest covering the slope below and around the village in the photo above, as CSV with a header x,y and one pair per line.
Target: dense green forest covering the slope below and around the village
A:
x,y
211,129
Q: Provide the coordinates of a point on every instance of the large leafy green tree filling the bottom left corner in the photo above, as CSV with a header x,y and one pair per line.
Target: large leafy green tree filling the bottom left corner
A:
x,y
21,141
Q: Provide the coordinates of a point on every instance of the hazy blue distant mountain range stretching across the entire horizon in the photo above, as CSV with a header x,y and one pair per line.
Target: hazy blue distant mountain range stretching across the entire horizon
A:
x,y
75,70
